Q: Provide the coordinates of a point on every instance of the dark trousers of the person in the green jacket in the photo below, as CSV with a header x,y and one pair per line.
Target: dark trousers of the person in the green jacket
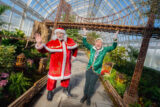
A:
x,y
91,79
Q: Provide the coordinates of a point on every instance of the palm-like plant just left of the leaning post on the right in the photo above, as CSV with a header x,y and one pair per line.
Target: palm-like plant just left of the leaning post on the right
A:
x,y
133,53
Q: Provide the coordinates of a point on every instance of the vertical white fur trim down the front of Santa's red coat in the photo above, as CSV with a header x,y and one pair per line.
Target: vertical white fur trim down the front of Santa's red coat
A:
x,y
64,59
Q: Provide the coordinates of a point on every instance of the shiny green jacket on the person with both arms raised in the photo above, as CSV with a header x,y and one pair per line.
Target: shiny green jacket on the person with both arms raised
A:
x,y
97,64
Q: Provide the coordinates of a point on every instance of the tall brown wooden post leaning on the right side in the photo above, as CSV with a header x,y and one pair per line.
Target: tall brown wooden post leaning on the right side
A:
x,y
131,95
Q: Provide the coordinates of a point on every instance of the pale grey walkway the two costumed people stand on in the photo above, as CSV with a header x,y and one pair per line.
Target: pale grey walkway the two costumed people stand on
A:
x,y
99,99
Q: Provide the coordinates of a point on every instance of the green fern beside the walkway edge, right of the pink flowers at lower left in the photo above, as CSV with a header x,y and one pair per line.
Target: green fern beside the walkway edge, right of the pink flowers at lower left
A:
x,y
18,84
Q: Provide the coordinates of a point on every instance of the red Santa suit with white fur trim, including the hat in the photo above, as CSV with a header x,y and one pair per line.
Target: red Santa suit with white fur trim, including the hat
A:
x,y
60,60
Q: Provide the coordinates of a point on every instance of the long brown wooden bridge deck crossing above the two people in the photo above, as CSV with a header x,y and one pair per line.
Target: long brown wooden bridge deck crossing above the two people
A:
x,y
125,29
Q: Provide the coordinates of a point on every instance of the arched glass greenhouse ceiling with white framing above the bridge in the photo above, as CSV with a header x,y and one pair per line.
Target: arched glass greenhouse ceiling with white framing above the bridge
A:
x,y
27,11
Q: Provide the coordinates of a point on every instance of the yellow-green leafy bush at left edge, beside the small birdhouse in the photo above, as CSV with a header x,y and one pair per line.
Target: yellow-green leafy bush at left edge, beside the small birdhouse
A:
x,y
6,57
